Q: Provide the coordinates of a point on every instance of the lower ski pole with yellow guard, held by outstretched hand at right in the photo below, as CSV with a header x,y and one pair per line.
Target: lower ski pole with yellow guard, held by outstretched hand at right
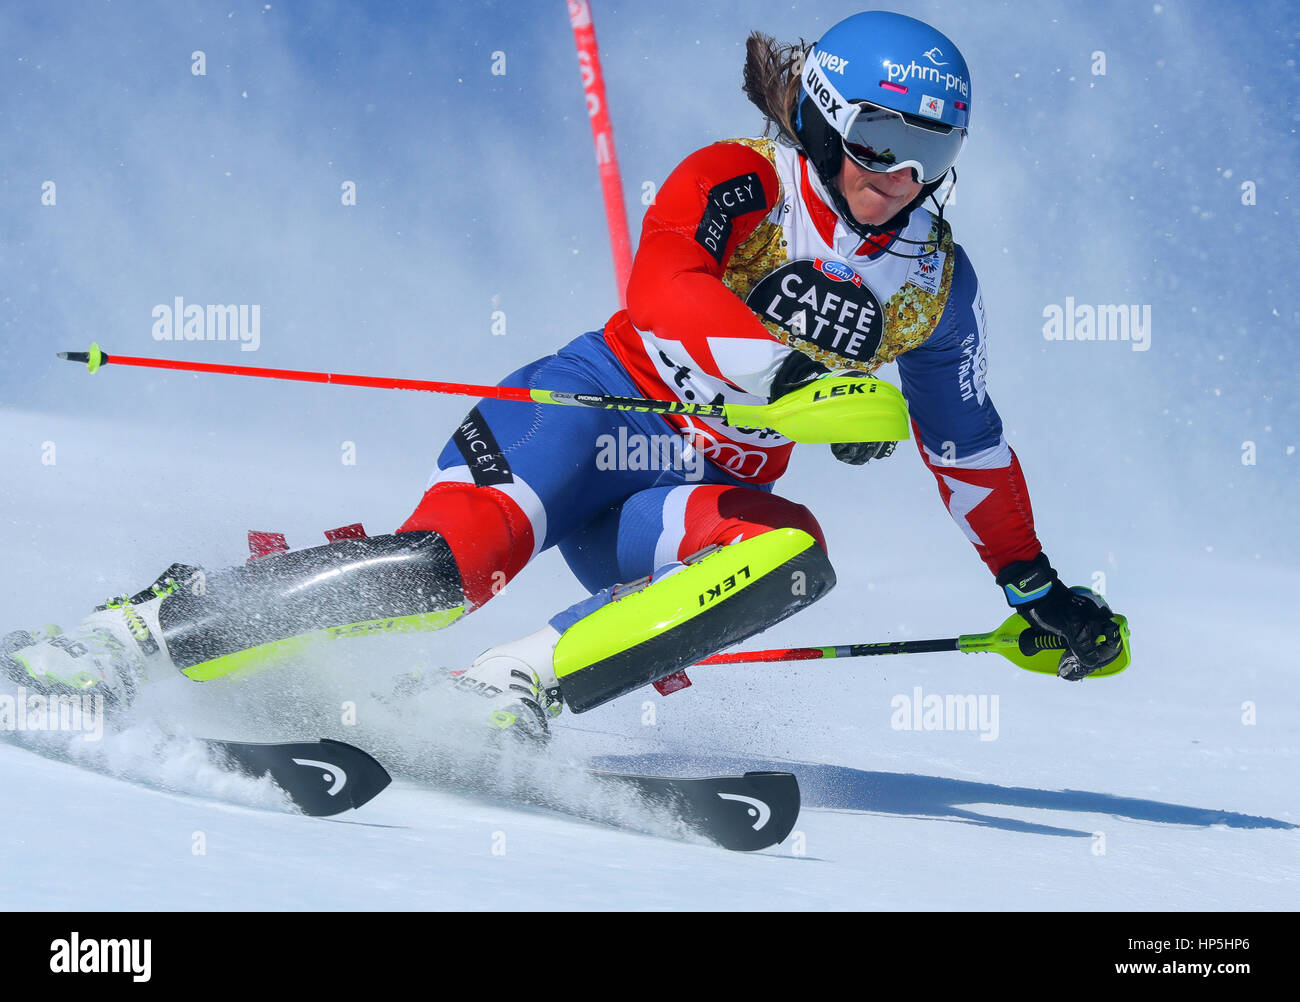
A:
x,y
1016,640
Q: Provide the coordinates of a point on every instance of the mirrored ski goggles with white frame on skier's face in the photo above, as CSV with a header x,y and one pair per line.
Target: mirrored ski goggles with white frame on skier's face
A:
x,y
883,141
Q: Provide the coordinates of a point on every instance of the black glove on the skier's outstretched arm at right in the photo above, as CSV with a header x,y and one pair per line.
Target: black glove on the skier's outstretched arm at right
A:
x,y
1082,619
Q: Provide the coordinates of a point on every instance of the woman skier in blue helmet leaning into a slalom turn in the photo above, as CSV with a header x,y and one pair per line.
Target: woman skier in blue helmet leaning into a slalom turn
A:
x,y
765,266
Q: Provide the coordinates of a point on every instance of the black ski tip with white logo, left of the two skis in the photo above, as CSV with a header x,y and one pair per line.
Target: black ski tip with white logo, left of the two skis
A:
x,y
322,778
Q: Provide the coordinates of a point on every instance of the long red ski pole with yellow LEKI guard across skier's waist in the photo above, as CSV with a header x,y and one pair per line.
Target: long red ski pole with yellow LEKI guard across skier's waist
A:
x,y
868,410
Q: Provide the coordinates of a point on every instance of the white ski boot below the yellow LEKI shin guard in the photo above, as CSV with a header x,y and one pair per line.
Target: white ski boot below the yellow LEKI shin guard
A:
x,y
518,680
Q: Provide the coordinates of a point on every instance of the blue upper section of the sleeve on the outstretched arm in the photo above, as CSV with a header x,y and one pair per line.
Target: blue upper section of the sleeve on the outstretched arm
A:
x,y
943,379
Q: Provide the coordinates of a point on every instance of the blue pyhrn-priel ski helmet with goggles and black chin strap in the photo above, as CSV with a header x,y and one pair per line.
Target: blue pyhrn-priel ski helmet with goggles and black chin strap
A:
x,y
895,63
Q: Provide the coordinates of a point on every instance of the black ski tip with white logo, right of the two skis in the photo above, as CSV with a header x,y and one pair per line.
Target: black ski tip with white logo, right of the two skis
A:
x,y
740,813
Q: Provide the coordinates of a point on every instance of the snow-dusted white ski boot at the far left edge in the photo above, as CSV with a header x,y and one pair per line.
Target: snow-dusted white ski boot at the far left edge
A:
x,y
107,656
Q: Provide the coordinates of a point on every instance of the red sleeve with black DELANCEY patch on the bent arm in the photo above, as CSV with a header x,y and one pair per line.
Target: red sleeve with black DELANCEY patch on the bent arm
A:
x,y
713,202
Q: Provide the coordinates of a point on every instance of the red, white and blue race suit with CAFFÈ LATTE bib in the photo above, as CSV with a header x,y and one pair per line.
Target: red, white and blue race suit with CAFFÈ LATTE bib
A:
x,y
742,266
